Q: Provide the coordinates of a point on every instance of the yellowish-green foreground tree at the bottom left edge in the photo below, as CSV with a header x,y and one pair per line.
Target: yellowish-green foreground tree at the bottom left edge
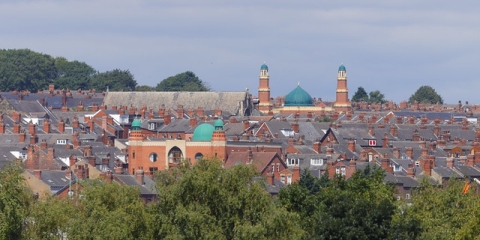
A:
x,y
14,202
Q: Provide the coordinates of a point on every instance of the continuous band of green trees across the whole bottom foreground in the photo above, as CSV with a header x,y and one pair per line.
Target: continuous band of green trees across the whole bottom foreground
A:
x,y
208,202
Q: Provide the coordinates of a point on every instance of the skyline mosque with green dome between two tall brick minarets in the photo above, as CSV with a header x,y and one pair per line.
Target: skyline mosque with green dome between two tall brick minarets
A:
x,y
298,100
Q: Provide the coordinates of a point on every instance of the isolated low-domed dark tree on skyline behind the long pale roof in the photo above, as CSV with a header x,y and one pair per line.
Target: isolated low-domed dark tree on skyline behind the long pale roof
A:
x,y
186,81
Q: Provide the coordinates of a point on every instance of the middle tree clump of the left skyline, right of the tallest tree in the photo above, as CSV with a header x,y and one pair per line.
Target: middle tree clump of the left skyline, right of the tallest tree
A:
x,y
72,75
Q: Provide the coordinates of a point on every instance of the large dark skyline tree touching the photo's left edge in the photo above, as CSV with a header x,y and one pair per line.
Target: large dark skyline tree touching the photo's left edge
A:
x,y
24,69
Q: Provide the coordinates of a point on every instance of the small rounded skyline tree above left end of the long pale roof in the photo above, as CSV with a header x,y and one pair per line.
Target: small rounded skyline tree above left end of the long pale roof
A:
x,y
115,80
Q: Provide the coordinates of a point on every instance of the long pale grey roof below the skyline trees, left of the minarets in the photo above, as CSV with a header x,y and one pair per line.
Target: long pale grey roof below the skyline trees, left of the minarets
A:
x,y
230,102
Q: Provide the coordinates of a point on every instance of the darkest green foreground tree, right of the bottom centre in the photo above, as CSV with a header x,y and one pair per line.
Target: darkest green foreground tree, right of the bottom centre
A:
x,y
360,208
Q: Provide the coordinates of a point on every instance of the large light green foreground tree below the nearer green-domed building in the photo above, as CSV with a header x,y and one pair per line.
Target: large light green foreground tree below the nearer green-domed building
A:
x,y
209,202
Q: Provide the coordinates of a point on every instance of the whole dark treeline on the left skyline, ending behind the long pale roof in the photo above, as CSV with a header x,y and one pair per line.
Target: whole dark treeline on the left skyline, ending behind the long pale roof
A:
x,y
23,69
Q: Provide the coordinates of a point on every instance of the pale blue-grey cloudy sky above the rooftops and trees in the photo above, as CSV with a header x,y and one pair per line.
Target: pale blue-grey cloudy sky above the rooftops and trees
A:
x,y
393,46
